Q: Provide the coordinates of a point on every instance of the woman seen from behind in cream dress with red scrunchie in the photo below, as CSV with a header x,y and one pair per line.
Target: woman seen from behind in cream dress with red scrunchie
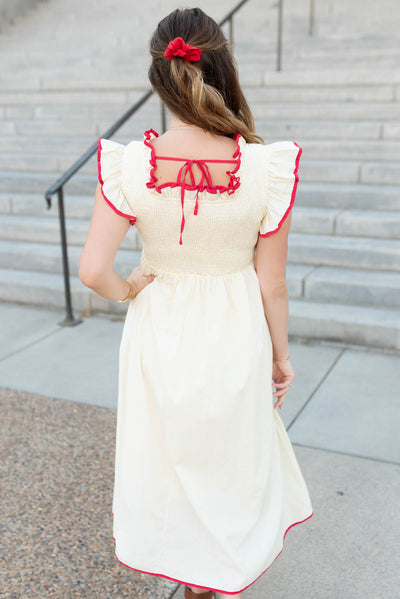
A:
x,y
206,480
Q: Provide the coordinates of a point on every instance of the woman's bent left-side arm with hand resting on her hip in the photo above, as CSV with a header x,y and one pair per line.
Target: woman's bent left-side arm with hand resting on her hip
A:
x,y
106,232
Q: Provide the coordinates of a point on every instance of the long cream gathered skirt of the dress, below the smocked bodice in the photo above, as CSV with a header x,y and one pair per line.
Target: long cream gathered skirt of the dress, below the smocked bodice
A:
x,y
206,480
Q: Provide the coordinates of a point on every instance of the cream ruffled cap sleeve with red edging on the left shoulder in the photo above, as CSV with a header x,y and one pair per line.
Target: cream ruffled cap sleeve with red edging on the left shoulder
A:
x,y
110,156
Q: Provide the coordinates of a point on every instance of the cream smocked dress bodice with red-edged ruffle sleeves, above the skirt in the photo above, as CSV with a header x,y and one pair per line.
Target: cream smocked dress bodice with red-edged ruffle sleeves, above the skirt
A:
x,y
200,228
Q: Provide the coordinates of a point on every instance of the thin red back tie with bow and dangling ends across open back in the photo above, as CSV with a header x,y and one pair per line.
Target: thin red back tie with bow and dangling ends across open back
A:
x,y
186,171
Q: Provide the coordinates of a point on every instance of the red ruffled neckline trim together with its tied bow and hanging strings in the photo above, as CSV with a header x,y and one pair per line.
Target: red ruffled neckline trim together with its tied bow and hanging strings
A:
x,y
186,169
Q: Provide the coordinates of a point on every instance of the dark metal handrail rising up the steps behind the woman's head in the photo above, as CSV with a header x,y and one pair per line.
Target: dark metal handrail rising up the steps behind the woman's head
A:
x,y
57,187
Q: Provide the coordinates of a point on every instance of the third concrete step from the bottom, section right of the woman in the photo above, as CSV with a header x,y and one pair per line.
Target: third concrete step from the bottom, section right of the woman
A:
x,y
348,252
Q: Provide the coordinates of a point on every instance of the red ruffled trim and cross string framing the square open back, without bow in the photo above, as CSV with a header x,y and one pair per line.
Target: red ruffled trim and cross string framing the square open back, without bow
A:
x,y
234,181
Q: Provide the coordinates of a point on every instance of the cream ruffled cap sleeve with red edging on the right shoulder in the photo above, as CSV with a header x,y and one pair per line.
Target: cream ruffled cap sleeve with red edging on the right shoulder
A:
x,y
280,184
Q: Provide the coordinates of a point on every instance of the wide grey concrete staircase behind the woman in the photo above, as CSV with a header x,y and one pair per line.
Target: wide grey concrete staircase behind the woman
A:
x,y
72,68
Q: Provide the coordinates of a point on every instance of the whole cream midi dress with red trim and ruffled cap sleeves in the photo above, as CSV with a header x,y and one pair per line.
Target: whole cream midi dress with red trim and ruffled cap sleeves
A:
x,y
206,480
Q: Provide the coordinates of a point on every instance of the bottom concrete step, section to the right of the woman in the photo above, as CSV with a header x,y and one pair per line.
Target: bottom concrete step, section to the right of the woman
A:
x,y
361,325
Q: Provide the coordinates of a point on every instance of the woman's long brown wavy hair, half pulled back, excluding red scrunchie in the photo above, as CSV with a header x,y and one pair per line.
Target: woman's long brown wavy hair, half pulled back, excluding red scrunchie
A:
x,y
204,93
